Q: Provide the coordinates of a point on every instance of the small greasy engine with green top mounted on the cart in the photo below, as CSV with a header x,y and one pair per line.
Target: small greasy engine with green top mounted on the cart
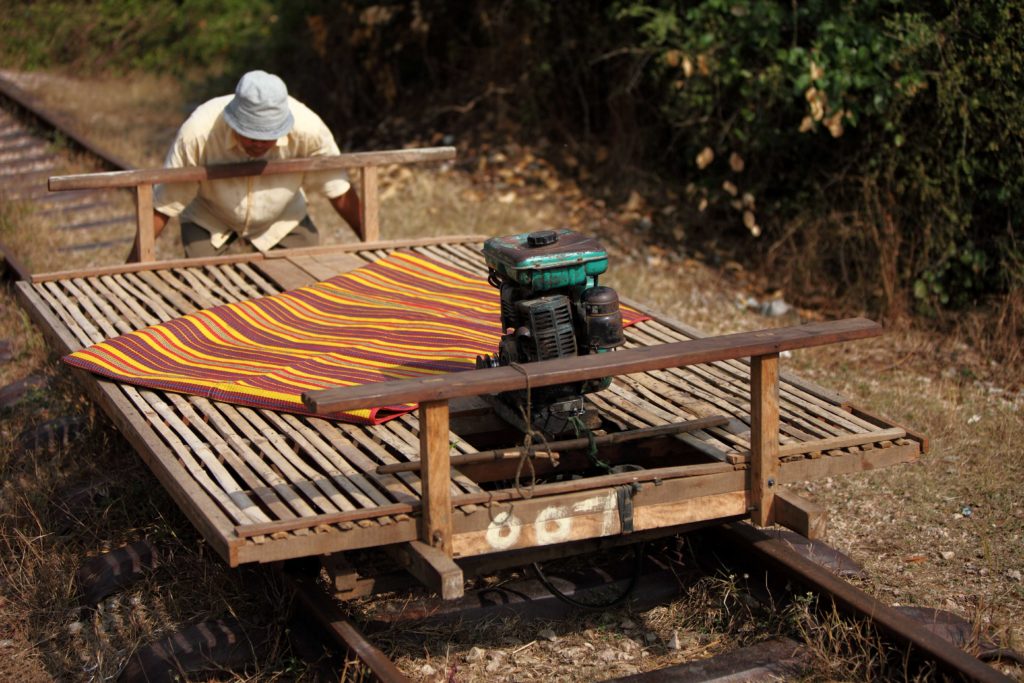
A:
x,y
552,308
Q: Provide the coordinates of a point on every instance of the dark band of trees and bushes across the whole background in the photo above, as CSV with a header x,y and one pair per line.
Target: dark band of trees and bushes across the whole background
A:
x,y
894,129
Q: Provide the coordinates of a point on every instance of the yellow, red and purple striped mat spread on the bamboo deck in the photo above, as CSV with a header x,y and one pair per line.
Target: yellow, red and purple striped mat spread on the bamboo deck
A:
x,y
403,317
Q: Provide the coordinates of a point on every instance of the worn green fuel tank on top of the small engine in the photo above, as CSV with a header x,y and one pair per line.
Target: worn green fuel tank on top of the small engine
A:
x,y
547,260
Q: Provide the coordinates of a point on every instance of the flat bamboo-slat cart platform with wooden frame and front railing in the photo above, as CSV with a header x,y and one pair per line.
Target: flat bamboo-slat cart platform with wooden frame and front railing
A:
x,y
265,487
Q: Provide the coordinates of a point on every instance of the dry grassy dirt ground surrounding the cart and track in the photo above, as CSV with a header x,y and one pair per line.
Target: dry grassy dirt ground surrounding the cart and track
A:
x,y
946,533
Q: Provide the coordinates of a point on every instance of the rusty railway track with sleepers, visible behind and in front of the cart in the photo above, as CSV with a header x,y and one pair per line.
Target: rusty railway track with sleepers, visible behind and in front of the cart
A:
x,y
32,150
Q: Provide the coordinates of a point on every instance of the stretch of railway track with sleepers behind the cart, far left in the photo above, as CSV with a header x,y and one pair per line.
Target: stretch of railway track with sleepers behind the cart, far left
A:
x,y
35,144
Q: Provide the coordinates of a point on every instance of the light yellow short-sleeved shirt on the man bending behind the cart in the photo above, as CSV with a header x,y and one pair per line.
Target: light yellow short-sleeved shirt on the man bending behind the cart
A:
x,y
262,209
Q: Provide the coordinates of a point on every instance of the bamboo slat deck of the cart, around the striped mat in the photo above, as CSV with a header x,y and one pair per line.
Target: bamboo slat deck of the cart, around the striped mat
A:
x,y
265,487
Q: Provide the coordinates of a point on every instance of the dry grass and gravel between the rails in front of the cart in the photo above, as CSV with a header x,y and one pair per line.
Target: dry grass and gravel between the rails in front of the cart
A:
x,y
711,616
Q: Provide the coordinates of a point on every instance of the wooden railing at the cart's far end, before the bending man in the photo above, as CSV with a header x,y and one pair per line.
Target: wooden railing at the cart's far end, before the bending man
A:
x,y
143,181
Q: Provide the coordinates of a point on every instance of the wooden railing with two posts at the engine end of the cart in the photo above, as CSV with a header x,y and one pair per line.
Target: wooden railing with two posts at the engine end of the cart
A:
x,y
434,395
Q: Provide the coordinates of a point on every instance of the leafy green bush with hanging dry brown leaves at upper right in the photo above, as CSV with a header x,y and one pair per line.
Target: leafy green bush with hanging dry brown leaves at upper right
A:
x,y
905,113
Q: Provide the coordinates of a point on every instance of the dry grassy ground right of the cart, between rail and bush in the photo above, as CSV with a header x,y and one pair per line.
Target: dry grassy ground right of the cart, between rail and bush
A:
x,y
963,498
